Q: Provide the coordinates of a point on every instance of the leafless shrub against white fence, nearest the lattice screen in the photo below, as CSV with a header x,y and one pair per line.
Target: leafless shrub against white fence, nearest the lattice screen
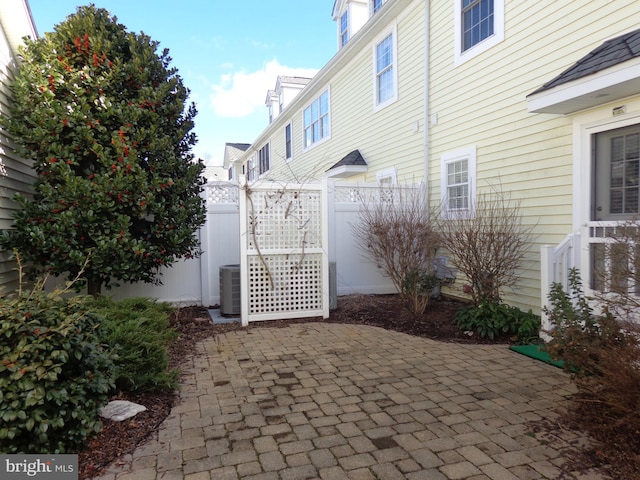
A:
x,y
396,233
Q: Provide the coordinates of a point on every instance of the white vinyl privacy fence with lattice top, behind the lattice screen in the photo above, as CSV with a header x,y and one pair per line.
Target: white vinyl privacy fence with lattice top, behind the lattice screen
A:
x,y
197,281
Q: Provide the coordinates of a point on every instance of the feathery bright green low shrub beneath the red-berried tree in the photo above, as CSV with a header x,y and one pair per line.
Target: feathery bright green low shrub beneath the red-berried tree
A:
x,y
139,332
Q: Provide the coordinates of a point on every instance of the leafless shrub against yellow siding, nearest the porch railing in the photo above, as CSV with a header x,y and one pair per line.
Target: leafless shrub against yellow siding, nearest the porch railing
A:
x,y
489,245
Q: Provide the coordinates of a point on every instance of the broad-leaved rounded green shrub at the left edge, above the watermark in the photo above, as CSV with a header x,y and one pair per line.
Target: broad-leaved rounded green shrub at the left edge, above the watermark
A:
x,y
54,374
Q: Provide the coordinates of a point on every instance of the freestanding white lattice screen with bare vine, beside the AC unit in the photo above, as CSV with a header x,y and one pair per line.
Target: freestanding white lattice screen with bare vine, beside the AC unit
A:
x,y
283,253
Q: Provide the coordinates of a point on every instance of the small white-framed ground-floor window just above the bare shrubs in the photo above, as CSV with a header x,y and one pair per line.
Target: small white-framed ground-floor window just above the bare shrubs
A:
x,y
458,182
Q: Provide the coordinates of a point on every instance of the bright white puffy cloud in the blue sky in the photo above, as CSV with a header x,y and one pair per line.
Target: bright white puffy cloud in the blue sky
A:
x,y
241,93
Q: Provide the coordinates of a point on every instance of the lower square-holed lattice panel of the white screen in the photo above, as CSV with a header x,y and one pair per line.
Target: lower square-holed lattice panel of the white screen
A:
x,y
285,283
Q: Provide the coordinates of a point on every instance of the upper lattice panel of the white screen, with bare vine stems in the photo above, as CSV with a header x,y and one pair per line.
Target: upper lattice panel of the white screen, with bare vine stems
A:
x,y
285,219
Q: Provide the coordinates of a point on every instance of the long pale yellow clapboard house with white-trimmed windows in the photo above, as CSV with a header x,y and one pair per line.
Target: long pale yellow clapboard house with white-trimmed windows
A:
x,y
540,99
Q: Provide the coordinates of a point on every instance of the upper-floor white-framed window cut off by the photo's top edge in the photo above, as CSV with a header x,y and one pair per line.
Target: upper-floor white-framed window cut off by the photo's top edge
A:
x,y
479,26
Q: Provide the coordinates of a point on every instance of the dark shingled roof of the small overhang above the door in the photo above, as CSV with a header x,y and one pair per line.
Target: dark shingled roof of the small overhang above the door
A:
x,y
610,53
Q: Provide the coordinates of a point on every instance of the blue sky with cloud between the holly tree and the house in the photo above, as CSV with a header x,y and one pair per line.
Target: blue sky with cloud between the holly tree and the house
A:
x,y
228,53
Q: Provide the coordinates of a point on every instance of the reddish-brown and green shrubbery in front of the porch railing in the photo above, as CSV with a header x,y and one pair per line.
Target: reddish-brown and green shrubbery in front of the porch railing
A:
x,y
602,353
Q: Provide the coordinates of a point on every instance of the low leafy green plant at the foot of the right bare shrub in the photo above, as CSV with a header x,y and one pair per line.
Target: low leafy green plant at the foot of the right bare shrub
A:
x,y
491,319
